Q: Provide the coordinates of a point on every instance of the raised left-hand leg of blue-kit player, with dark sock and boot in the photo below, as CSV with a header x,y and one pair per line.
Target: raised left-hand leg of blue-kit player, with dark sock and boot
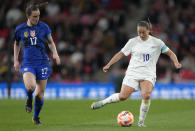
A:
x,y
30,85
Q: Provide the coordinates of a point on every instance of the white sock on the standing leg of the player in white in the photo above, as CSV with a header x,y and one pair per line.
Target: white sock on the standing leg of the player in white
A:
x,y
144,110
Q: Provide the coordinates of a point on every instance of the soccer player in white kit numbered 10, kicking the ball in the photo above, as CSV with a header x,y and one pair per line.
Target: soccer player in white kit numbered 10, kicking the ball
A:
x,y
141,72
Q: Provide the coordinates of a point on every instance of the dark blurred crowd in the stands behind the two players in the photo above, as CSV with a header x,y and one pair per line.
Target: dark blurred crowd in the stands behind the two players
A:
x,y
87,33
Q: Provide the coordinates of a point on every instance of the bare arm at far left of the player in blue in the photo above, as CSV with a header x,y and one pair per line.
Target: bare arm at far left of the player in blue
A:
x,y
17,47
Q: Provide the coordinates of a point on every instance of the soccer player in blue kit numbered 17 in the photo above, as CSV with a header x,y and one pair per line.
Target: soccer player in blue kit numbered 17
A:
x,y
35,65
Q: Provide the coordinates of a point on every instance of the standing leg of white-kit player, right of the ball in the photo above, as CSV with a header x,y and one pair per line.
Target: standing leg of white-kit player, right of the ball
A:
x,y
146,90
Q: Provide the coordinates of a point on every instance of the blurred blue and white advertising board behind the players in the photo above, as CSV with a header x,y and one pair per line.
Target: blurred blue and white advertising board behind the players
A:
x,y
98,91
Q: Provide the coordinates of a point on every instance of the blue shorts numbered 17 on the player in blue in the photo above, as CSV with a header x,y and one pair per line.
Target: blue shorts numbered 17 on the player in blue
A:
x,y
41,72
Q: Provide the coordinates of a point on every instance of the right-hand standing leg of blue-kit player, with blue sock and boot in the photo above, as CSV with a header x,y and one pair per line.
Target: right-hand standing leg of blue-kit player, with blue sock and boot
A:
x,y
39,94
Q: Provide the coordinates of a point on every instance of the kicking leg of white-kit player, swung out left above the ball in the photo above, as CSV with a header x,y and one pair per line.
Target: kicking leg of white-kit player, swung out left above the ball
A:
x,y
123,95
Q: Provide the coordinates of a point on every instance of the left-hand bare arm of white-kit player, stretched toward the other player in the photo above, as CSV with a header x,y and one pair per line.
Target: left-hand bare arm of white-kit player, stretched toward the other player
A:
x,y
114,59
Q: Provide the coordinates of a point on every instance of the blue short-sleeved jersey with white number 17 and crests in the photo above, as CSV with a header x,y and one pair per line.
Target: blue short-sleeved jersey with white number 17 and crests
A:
x,y
33,39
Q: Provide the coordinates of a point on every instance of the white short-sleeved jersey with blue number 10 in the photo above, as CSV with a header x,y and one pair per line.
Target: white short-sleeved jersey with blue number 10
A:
x,y
144,55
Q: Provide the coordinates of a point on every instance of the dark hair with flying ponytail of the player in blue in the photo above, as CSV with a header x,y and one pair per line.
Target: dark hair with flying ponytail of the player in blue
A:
x,y
34,7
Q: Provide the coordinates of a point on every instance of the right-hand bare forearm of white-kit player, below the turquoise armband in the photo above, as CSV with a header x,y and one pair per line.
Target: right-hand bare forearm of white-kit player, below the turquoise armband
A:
x,y
173,57
